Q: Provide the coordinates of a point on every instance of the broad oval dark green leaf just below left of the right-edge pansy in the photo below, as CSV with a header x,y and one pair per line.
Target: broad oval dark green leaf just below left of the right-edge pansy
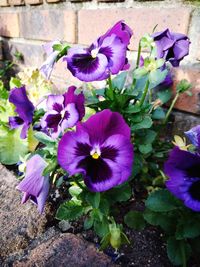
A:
x,y
162,201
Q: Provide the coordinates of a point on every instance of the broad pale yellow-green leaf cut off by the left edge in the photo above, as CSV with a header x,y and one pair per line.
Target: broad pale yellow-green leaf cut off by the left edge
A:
x,y
12,147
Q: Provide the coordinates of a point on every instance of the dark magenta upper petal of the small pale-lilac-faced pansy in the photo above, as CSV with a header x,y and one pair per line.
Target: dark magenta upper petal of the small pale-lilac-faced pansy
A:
x,y
78,100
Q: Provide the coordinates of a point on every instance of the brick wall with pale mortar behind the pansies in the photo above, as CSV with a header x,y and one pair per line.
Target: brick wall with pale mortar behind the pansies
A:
x,y
26,24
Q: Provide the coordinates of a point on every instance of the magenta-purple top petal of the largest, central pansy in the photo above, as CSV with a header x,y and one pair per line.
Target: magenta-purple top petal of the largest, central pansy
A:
x,y
104,124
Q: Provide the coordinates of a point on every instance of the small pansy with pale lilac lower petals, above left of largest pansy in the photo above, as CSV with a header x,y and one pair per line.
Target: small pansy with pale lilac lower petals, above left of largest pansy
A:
x,y
63,111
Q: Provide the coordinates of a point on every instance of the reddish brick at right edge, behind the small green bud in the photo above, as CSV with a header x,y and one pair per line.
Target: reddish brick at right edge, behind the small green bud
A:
x,y
189,103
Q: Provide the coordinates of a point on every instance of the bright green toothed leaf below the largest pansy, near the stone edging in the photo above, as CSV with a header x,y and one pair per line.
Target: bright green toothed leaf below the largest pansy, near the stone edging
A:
x,y
69,210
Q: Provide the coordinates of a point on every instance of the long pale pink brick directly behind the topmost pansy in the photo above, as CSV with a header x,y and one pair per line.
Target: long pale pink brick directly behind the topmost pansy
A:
x,y
92,23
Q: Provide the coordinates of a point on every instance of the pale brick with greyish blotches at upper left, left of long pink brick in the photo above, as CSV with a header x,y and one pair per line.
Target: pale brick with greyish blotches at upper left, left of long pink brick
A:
x,y
48,24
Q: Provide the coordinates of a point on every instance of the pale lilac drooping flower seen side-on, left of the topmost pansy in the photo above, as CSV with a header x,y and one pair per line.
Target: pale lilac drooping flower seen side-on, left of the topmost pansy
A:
x,y
47,66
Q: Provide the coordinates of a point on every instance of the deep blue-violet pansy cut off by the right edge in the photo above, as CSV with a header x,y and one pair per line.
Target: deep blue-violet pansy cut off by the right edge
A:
x,y
183,170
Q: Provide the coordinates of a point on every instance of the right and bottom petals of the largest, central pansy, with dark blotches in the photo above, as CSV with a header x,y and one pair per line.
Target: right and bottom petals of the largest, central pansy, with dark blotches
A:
x,y
113,167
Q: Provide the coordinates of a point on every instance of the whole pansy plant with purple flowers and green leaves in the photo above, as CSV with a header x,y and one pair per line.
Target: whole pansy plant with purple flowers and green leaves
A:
x,y
106,146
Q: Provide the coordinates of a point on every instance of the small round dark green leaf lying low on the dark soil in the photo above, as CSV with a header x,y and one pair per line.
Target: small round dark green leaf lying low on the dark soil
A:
x,y
135,220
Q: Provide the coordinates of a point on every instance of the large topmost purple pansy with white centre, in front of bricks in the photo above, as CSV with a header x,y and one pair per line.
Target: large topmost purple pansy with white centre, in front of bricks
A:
x,y
106,56
